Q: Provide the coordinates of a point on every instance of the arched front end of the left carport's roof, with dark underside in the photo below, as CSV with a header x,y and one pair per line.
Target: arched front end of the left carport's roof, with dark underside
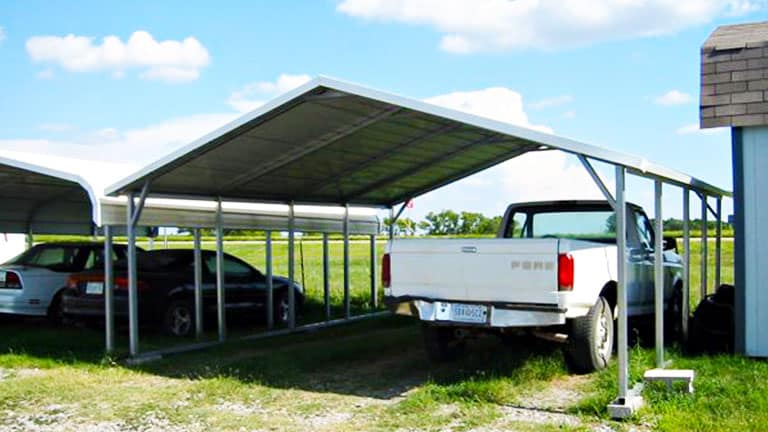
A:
x,y
37,199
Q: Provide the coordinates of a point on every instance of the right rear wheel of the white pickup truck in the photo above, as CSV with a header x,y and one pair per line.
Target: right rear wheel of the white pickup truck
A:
x,y
590,342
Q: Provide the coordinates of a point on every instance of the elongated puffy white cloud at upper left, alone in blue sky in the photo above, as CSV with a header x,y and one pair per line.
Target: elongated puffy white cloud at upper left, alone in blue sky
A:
x,y
169,60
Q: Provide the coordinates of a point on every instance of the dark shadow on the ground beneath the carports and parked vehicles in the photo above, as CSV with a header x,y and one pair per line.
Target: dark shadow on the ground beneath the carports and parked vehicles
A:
x,y
379,359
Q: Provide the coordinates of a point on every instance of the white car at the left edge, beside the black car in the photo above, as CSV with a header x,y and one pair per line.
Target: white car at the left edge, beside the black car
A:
x,y
32,283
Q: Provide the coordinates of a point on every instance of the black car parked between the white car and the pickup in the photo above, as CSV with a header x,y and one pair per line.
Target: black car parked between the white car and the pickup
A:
x,y
166,291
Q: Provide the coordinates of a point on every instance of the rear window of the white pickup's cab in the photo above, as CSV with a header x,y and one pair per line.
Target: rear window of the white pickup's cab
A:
x,y
588,225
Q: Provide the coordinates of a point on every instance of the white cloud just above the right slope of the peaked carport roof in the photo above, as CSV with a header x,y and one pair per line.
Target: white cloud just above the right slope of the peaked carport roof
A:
x,y
496,103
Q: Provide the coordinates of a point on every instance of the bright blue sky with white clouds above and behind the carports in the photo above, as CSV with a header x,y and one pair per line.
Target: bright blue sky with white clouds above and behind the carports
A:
x,y
620,74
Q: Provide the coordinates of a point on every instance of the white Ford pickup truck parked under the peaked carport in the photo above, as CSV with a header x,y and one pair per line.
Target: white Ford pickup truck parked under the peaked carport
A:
x,y
551,271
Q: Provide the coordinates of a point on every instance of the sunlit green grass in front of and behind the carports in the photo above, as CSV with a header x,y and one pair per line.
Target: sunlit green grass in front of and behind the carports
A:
x,y
365,376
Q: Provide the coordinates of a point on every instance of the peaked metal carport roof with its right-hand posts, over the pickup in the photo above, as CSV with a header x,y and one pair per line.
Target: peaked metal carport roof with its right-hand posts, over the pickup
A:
x,y
331,142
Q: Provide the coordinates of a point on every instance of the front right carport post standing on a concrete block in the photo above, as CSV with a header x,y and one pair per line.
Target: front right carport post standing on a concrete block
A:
x,y
622,280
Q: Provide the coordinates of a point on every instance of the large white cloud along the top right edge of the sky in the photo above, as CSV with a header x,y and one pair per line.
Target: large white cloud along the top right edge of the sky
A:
x,y
497,25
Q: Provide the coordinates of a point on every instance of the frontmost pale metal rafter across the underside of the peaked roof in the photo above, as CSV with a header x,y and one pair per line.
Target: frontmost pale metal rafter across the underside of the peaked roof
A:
x,y
267,168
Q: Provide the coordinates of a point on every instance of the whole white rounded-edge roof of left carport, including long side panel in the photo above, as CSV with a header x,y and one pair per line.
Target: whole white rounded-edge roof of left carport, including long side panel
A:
x,y
43,200
